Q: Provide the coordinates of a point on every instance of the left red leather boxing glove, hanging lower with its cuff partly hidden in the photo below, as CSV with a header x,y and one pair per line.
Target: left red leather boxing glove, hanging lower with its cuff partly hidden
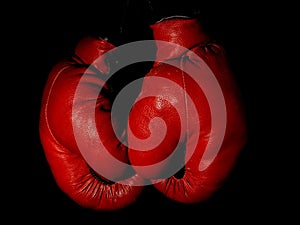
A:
x,y
64,111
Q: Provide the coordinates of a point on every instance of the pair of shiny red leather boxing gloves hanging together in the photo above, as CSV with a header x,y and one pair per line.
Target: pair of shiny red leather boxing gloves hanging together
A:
x,y
189,105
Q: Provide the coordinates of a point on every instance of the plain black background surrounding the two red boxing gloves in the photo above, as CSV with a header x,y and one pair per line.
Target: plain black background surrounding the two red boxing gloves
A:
x,y
257,189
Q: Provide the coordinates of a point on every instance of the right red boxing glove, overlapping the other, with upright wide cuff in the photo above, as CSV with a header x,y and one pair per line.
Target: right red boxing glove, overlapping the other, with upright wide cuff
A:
x,y
203,130
